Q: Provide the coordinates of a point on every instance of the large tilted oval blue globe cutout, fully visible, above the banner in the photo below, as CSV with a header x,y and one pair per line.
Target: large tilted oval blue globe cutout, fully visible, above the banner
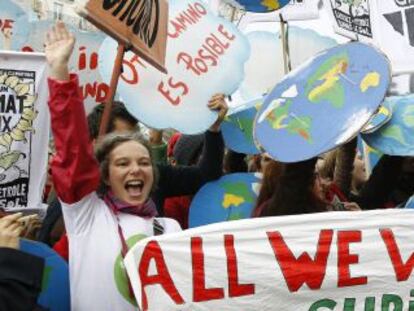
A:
x,y
323,103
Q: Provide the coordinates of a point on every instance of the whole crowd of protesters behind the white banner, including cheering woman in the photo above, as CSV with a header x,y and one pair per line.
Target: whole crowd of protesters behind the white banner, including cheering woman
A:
x,y
132,183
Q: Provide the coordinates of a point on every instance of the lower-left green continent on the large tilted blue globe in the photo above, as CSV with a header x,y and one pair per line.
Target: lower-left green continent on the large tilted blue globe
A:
x,y
295,125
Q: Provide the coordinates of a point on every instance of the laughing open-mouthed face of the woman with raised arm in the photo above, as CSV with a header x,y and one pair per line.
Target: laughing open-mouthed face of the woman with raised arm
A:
x,y
130,172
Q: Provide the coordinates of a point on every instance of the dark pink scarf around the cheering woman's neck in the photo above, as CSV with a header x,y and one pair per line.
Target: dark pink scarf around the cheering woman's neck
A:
x,y
145,210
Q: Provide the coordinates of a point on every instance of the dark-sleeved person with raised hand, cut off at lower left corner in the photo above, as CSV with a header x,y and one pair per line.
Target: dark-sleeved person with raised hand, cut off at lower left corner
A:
x,y
20,273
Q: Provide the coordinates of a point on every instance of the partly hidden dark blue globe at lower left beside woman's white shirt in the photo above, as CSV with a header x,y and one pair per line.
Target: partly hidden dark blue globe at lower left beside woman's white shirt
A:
x,y
55,292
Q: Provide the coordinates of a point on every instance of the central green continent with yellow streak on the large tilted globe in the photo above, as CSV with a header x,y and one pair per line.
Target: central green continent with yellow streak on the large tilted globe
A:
x,y
325,83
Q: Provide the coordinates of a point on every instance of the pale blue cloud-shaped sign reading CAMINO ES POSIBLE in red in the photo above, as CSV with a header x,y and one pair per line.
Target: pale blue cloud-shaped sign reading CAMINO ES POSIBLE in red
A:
x,y
212,63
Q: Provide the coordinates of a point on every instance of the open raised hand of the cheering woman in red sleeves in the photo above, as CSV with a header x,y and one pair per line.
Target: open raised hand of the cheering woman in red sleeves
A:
x,y
58,48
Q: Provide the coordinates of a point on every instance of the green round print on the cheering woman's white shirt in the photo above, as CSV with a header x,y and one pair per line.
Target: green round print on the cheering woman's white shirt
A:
x,y
120,274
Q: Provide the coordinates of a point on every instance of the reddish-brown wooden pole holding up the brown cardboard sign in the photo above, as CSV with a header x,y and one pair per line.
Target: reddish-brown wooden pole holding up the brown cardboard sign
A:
x,y
116,72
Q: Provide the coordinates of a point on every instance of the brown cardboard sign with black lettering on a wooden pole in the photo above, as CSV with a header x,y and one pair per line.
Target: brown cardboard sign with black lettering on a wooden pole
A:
x,y
138,24
